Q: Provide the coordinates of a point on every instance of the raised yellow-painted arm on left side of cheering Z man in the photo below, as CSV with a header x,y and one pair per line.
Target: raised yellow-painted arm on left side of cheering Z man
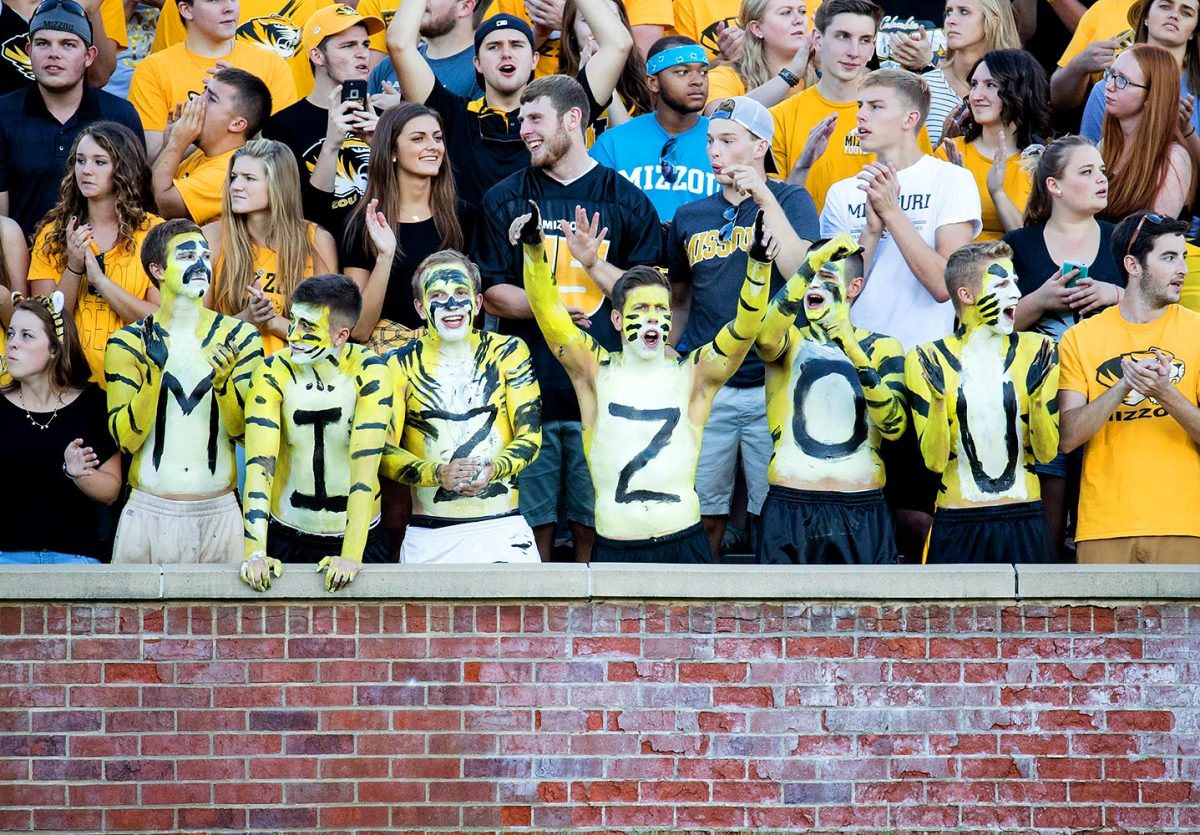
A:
x,y
579,353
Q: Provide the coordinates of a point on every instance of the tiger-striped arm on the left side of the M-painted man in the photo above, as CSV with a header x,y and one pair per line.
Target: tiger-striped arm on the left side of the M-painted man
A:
x,y
134,364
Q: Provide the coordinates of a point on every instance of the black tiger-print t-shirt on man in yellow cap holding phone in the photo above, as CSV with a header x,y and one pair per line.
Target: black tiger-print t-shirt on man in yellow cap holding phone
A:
x,y
302,128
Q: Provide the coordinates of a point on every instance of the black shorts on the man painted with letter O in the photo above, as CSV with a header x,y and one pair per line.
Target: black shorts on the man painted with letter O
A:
x,y
805,527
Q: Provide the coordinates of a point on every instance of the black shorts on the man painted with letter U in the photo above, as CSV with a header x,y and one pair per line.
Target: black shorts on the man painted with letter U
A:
x,y
1001,534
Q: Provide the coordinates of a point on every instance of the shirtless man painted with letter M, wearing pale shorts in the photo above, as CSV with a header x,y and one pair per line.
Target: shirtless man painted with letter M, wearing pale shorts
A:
x,y
177,387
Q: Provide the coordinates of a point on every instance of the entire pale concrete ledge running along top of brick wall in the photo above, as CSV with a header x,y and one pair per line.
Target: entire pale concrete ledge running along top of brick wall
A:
x,y
614,582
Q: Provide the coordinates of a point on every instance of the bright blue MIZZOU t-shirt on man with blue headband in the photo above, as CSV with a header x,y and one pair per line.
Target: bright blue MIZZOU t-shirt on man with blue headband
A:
x,y
634,149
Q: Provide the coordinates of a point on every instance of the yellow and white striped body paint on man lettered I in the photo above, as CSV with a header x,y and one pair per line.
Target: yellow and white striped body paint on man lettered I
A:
x,y
315,435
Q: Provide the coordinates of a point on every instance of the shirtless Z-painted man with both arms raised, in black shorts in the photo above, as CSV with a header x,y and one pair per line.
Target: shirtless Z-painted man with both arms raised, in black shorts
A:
x,y
644,409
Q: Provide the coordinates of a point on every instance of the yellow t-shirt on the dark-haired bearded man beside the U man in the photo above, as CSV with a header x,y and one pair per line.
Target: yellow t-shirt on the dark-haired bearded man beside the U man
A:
x,y
1142,471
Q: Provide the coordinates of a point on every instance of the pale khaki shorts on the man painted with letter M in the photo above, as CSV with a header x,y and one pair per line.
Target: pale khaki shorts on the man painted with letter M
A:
x,y
154,530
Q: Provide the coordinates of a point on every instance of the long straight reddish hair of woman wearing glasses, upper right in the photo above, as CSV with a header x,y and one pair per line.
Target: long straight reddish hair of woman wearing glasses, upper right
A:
x,y
1135,179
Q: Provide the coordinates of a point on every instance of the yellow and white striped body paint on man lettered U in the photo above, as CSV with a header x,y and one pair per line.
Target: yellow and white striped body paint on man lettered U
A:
x,y
985,401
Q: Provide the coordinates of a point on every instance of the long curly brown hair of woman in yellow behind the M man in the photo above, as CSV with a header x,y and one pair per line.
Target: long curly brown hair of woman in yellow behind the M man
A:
x,y
131,188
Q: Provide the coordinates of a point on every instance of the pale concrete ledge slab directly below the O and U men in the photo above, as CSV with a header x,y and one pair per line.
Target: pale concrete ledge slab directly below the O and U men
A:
x,y
817,582
